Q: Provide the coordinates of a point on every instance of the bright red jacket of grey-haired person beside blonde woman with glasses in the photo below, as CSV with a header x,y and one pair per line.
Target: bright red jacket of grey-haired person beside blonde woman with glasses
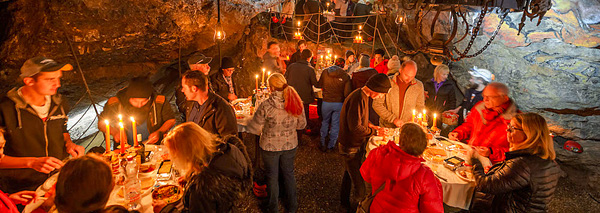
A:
x,y
489,133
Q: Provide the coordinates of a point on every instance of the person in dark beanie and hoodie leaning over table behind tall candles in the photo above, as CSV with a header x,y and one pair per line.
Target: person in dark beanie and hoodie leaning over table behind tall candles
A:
x,y
152,113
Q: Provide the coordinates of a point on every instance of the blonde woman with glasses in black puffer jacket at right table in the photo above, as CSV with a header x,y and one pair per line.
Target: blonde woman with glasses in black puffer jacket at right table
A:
x,y
525,181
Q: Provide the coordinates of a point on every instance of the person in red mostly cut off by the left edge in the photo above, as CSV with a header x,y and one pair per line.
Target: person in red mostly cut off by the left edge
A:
x,y
8,202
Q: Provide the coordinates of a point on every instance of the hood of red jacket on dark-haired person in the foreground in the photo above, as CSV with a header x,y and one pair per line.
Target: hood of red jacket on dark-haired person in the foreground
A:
x,y
397,164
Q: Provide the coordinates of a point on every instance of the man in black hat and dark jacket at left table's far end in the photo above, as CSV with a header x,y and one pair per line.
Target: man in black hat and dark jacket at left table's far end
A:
x,y
225,82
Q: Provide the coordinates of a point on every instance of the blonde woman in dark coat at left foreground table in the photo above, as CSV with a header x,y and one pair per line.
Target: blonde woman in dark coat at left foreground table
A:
x,y
216,173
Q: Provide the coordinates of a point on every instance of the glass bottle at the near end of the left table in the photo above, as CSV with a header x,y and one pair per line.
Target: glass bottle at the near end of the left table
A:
x,y
133,187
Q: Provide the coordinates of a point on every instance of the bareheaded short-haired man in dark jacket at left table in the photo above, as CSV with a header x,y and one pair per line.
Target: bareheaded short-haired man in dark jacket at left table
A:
x,y
206,108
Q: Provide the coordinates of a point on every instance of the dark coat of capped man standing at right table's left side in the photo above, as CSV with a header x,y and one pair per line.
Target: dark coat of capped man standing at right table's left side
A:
x,y
354,122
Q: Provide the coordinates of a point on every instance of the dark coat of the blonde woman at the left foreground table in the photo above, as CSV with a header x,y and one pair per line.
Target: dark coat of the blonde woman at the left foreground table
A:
x,y
223,186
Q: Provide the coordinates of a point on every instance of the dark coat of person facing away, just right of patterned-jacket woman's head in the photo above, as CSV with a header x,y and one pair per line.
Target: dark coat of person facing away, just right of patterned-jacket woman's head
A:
x,y
302,77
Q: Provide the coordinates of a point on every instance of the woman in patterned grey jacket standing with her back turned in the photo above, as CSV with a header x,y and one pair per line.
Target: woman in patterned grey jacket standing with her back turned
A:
x,y
277,120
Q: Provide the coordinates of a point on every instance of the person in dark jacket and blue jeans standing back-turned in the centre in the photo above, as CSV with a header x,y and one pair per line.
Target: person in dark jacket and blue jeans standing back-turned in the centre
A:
x,y
336,86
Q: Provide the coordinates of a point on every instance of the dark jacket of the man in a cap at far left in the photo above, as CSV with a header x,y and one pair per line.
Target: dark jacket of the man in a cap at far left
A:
x,y
27,135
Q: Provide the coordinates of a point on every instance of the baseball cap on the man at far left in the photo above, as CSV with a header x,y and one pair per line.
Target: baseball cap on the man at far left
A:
x,y
42,64
